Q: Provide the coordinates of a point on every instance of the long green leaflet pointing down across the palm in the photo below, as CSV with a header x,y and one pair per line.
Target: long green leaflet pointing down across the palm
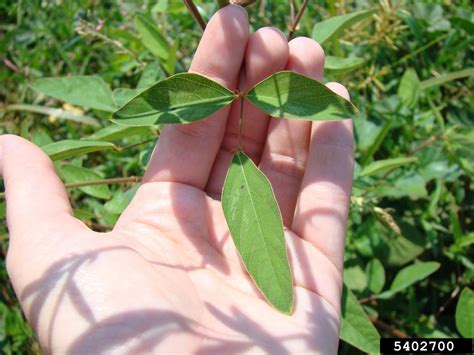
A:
x,y
256,227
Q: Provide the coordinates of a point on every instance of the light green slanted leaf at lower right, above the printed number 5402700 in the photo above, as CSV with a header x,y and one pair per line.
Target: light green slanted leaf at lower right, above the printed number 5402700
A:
x,y
409,276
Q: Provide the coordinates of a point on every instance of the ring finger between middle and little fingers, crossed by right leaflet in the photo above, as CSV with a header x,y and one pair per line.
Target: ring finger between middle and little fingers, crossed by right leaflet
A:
x,y
286,149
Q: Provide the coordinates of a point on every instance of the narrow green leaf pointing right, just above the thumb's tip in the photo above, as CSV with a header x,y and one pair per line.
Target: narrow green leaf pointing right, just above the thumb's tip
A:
x,y
71,148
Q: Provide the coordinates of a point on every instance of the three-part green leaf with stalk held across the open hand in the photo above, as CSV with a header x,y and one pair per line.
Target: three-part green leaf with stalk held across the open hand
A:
x,y
248,201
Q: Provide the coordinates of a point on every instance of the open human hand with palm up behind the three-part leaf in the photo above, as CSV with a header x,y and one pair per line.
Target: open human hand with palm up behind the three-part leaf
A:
x,y
168,278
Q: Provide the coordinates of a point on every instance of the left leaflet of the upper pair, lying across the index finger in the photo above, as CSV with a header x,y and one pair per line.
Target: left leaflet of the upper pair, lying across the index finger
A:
x,y
181,98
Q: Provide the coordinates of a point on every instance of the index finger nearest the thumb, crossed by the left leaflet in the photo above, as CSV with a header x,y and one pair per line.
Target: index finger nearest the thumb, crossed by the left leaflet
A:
x,y
186,153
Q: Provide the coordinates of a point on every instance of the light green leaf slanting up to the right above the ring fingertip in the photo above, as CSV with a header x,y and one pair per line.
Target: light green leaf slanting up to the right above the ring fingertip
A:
x,y
324,30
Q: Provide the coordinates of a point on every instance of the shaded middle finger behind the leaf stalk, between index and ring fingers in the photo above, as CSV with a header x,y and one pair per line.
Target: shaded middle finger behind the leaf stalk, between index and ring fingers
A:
x,y
267,52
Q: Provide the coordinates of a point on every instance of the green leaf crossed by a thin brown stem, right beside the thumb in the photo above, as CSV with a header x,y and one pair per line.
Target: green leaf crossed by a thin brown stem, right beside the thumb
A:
x,y
76,174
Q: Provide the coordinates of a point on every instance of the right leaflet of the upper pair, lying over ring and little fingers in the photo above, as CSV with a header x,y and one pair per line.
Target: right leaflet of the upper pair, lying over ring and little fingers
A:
x,y
289,95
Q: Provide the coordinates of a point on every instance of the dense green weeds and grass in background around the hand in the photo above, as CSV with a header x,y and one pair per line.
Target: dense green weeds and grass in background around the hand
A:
x,y
416,209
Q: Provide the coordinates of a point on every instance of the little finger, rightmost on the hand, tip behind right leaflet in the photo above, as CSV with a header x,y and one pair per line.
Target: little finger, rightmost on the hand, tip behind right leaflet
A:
x,y
322,207
